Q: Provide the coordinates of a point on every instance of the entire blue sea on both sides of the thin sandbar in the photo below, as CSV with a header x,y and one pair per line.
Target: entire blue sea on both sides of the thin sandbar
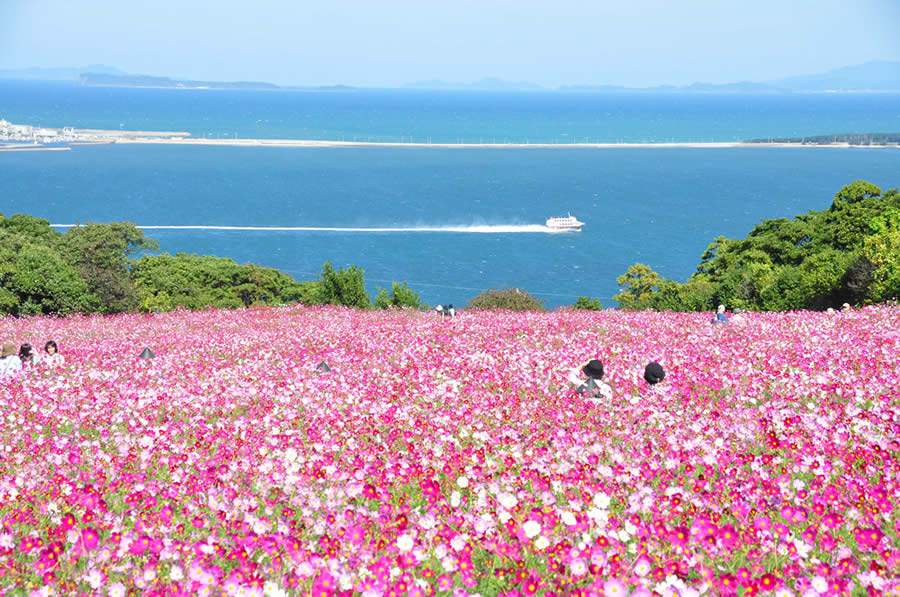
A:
x,y
481,206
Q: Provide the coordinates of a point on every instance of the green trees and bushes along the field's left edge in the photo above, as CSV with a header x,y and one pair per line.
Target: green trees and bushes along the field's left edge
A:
x,y
92,269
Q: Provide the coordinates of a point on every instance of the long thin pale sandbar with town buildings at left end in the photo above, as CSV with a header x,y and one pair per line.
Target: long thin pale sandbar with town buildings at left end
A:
x,y
23,137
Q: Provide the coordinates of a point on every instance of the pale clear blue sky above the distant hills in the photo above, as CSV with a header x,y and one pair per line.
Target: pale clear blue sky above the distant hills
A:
x,y
389,43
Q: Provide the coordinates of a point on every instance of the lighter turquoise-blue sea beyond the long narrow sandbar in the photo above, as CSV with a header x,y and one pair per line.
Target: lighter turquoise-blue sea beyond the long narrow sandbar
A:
x,y
448,116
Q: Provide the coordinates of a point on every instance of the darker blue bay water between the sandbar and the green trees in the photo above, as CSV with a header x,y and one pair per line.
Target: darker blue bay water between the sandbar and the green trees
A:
x,y
660,206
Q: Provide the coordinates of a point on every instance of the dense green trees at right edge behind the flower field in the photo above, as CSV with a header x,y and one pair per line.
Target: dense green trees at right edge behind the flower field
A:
x,y
846,253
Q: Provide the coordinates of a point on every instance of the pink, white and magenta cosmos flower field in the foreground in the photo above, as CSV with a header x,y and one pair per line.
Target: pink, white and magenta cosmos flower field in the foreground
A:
x,y
451,457
